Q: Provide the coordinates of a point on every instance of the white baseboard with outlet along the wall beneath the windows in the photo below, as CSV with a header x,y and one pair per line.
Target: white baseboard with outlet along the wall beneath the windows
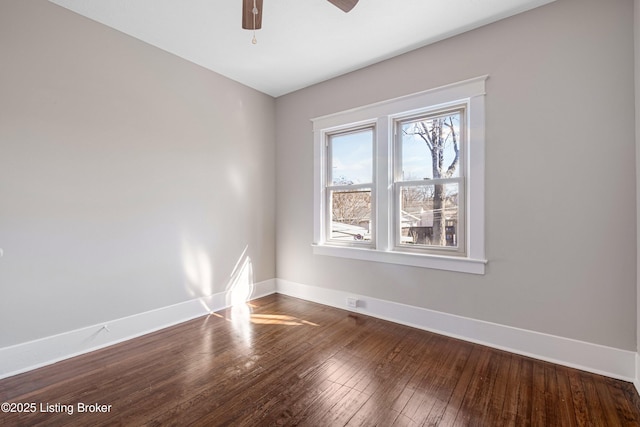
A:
x,y
612,362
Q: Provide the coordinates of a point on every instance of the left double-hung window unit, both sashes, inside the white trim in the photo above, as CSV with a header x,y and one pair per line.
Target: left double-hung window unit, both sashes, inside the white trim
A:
x,y
349,186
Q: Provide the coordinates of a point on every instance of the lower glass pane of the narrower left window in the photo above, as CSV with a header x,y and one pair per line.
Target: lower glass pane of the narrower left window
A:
x,y
351,215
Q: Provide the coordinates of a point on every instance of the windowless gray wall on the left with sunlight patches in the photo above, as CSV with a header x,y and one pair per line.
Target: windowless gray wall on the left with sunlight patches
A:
x,y
129,179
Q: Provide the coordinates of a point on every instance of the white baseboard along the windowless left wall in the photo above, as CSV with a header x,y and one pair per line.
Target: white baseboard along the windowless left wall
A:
x,y
45,351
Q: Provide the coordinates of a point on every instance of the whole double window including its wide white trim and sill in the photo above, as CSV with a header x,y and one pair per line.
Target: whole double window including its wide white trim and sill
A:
x,y
402,181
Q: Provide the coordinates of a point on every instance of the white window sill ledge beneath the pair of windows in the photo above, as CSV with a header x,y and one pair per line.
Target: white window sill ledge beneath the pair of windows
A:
x,y
438,262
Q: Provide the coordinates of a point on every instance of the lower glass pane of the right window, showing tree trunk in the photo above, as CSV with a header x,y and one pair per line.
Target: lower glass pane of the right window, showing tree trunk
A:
x,y
429,215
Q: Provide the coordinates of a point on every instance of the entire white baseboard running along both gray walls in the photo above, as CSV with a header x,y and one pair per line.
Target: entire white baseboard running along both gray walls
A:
x,y
612,362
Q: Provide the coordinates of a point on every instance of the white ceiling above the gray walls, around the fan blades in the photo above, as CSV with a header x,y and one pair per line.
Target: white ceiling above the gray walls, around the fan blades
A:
x,y
301,42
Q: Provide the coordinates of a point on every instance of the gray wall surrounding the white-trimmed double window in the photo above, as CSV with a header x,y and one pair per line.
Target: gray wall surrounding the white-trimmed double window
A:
x,y
561,218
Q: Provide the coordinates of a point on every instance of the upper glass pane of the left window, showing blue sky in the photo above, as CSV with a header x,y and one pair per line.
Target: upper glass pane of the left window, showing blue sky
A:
x,y
351,157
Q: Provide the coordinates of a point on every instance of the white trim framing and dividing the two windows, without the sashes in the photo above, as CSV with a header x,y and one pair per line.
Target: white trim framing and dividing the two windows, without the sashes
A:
x,y
383,114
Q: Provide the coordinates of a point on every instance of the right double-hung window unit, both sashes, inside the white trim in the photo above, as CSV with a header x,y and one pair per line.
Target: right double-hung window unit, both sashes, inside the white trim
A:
x,y
429,182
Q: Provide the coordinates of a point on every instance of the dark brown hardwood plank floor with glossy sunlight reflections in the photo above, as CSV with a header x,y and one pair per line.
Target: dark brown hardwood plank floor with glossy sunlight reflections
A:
x,y
285,361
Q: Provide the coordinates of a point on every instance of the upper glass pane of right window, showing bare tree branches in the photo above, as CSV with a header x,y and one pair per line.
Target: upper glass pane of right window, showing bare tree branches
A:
x,y
430,147
